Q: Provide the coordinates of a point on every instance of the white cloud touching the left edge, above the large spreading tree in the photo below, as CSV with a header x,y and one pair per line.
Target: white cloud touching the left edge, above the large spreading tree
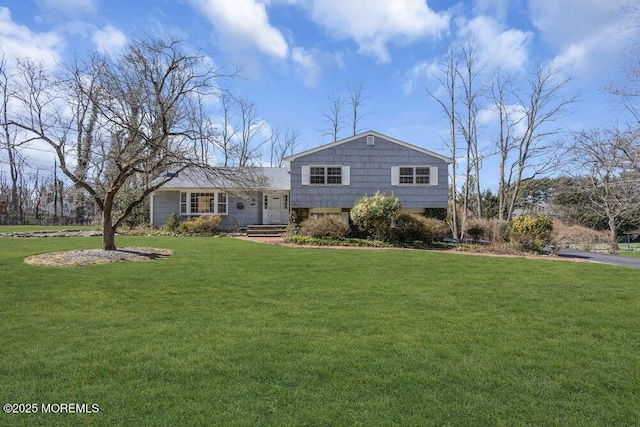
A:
x,y
19,41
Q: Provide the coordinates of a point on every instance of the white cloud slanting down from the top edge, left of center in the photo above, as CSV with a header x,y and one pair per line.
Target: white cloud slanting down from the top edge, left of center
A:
x,y
244,22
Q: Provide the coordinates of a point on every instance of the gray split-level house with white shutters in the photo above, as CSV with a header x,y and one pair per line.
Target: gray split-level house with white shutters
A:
x,y
326,180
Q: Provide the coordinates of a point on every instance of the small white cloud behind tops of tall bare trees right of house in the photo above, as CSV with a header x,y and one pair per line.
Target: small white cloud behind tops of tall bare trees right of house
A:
x,y
507,49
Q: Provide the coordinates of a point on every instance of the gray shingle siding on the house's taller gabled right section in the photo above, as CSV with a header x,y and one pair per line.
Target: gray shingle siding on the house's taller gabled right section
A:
x,y
370,168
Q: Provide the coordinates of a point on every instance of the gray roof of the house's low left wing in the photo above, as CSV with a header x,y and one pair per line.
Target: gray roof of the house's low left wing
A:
x,y
248,178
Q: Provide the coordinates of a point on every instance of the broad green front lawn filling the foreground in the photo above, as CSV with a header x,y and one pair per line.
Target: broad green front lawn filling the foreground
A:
x,y
231,332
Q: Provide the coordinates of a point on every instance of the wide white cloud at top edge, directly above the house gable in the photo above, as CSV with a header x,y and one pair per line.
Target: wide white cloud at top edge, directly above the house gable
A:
x,y
376,23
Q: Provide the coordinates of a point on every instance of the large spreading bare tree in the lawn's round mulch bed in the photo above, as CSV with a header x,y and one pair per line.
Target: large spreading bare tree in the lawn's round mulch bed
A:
x,y
145,100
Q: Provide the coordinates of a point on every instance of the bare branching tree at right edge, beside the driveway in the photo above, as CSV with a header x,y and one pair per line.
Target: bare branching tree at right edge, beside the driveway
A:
x,y
608,177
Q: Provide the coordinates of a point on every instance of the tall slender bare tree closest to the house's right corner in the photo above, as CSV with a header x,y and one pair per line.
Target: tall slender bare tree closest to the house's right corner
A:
x,y
449,73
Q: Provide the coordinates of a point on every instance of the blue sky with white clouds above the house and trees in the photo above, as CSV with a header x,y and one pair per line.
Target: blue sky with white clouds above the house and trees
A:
x,y
297,53
